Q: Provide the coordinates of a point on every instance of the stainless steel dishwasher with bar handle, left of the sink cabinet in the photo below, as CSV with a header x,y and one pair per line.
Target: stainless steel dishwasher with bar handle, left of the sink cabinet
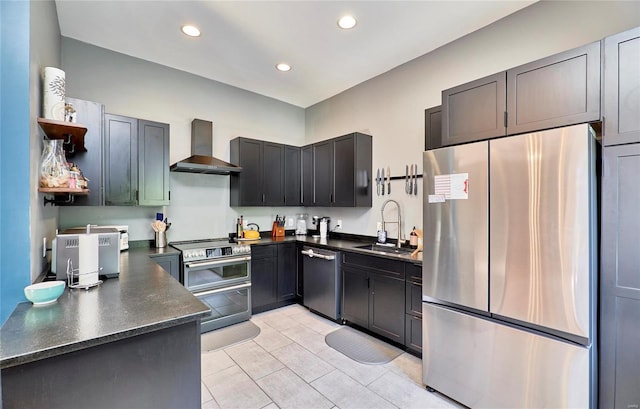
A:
x,y
321,281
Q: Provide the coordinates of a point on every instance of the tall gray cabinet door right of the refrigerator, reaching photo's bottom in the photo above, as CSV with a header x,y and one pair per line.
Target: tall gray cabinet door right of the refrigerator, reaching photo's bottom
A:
x,y
619,278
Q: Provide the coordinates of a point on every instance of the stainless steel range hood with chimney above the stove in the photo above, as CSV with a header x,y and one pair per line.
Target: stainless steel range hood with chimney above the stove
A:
x,y
201,159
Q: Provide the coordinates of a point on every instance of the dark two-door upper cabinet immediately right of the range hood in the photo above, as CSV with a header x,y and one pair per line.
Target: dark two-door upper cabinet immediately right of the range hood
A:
x,y
261,182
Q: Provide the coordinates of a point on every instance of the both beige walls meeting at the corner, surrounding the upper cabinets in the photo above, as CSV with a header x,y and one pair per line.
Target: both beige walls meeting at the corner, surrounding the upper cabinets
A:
x,y
390,107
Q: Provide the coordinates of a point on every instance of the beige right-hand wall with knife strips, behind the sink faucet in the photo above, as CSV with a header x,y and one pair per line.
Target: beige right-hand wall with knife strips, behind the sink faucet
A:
x,y
391,106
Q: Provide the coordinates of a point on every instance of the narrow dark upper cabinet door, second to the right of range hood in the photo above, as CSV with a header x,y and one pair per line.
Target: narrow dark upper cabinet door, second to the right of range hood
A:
x,y
273,174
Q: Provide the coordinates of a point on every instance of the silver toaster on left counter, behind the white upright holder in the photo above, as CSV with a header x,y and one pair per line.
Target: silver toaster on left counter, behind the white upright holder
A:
x,y
66,246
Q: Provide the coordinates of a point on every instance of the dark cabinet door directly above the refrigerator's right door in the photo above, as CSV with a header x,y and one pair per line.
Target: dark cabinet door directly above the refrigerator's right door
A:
x,y
560,90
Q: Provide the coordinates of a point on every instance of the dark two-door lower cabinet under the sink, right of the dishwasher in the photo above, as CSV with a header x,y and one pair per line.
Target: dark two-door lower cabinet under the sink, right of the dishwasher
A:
x,y
373,294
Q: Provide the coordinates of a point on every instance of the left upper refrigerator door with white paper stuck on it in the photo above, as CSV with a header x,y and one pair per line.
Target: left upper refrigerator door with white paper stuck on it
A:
x,y
455,266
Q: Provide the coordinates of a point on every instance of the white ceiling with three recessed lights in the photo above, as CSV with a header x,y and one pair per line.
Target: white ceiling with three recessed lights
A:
x,y
242,41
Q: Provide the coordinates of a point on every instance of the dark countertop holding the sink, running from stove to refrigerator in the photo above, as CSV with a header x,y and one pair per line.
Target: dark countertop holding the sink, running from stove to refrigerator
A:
x,y
342,244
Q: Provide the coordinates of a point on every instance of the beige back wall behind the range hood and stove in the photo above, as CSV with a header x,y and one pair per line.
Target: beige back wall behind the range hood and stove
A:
x,y
133,87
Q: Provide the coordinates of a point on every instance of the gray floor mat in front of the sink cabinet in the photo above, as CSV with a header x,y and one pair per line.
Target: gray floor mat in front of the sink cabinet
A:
x,y
361,347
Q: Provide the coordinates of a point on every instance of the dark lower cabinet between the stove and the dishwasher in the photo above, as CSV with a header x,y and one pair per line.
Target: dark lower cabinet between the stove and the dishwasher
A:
x,y
273,275
